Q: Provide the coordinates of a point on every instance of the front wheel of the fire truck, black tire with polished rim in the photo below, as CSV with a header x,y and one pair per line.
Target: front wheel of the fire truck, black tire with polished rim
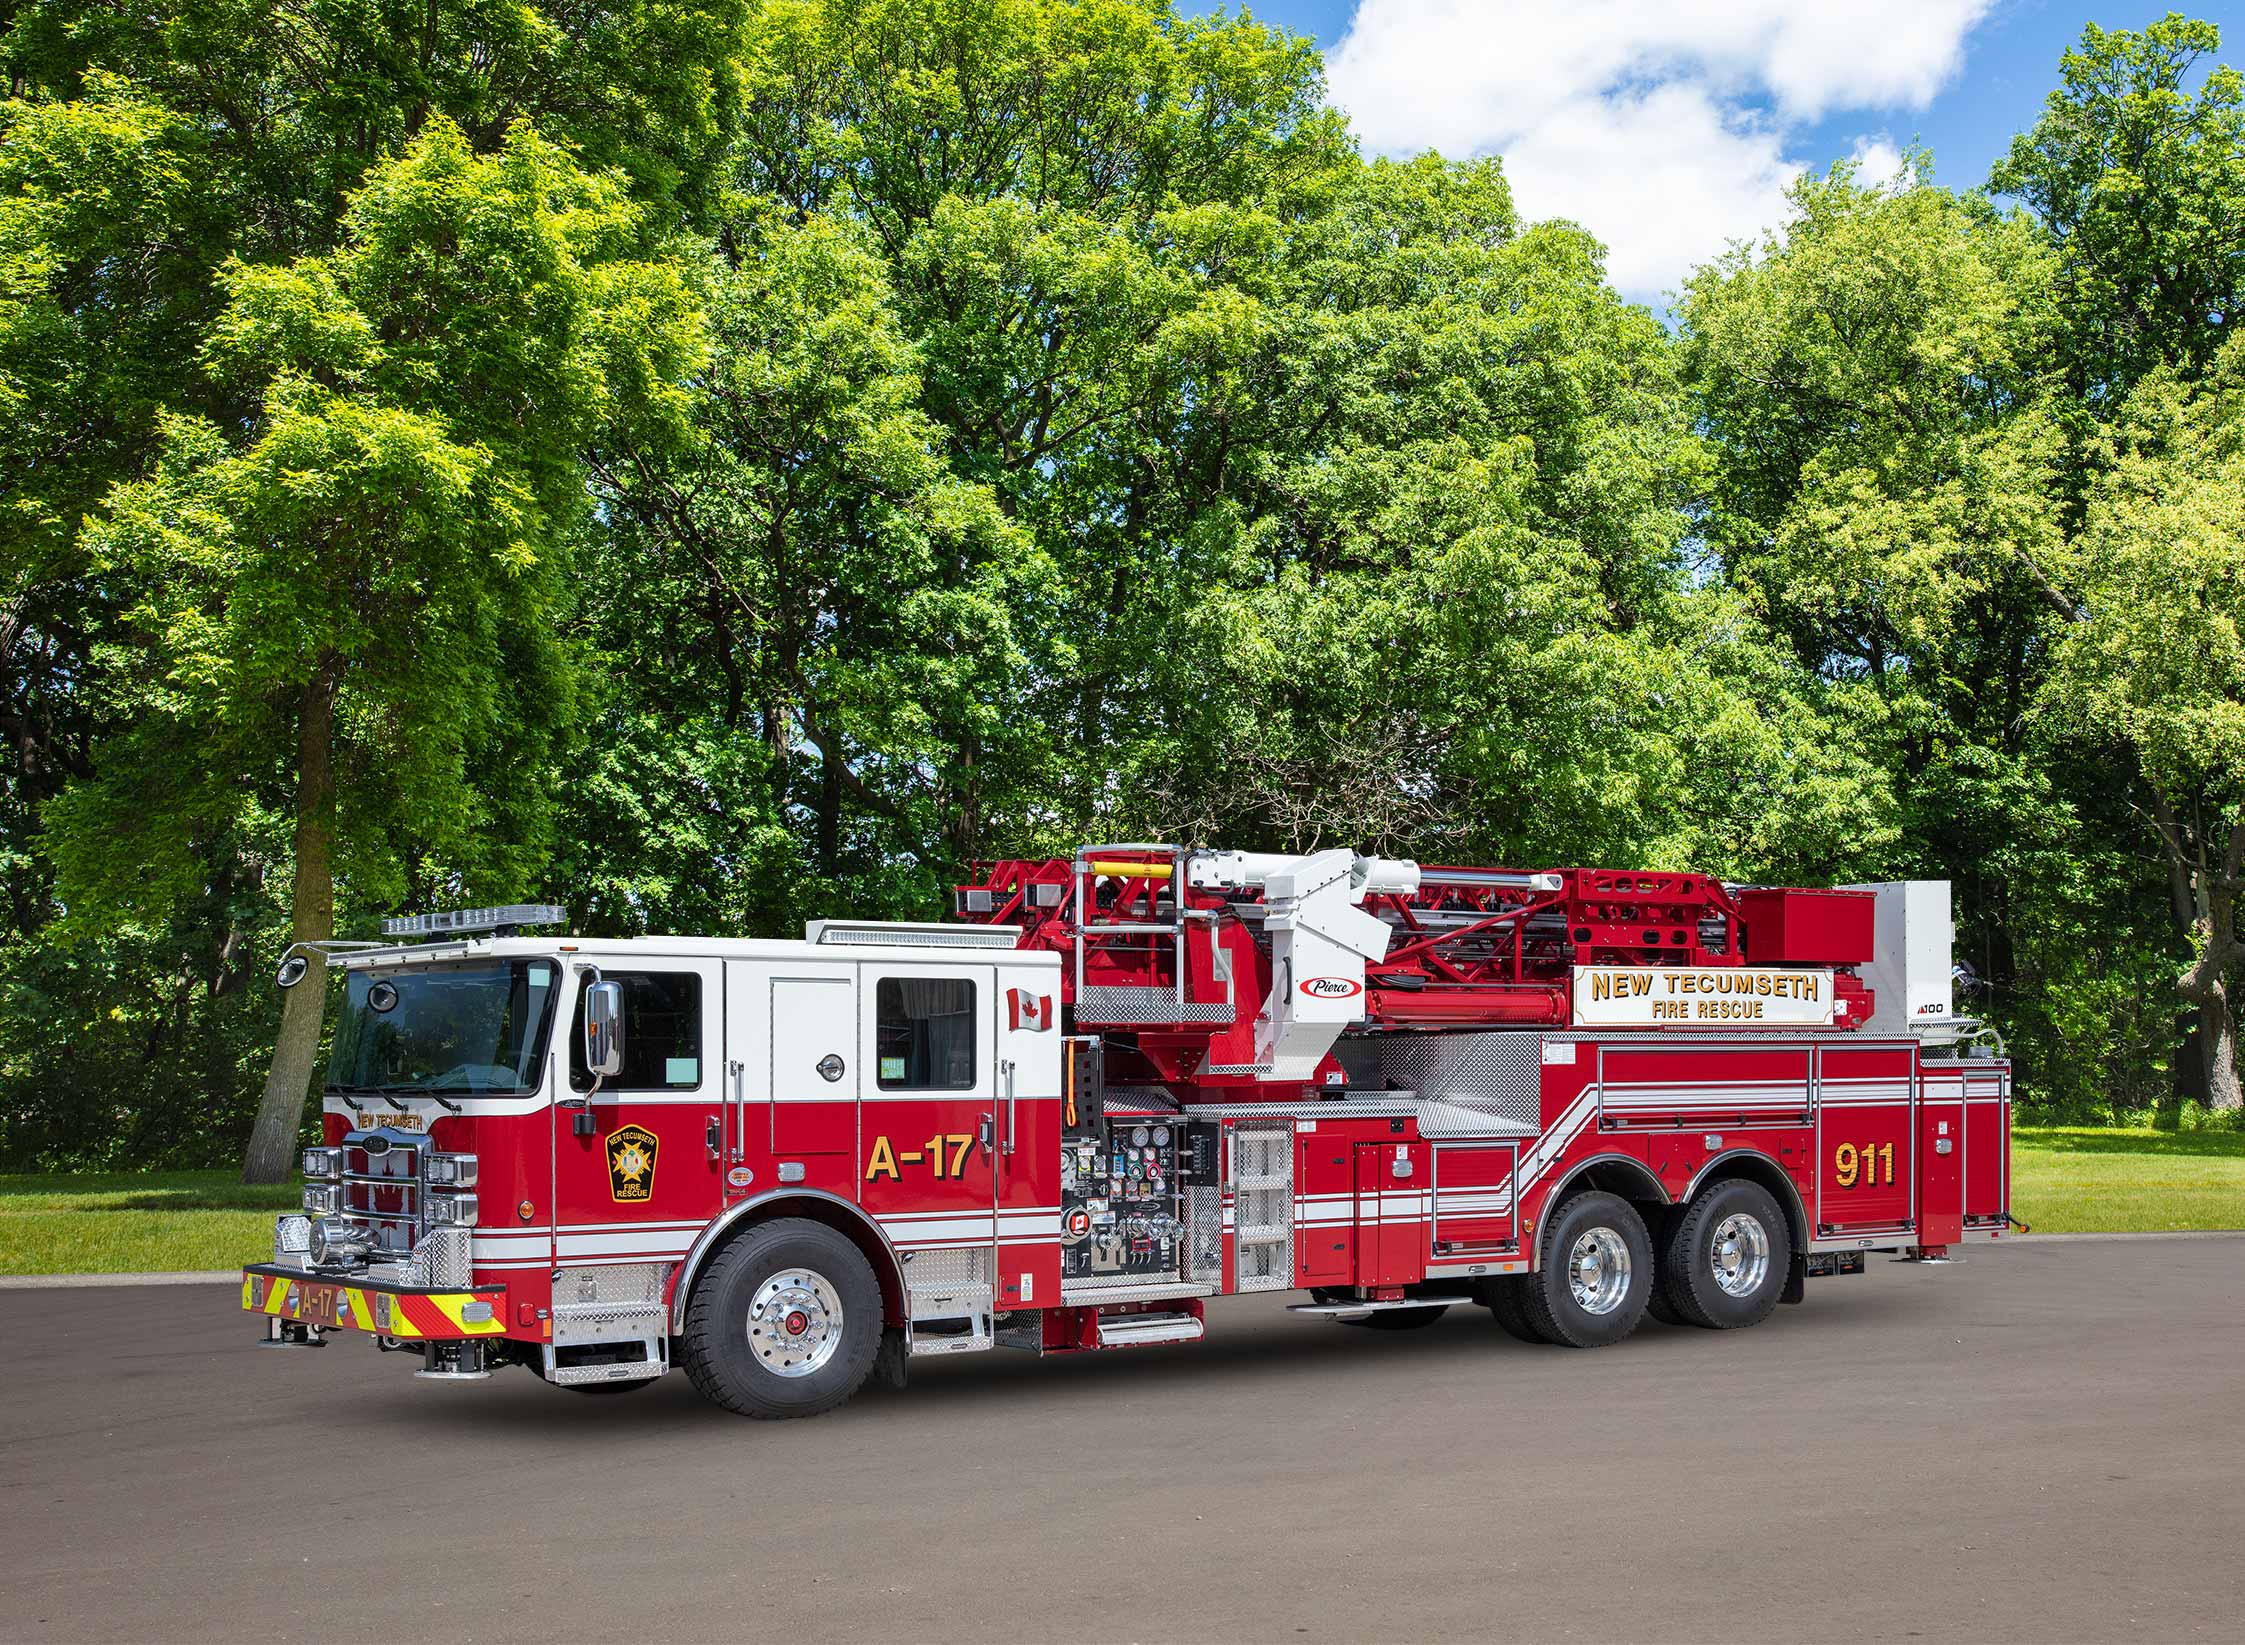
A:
x,y
758,1379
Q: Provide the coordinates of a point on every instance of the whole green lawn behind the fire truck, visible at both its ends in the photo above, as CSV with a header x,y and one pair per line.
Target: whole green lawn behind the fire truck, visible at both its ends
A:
x,y
2064,1182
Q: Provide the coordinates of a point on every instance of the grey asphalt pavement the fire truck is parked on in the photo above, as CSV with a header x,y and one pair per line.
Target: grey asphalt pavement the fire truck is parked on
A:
x,y
2040,1444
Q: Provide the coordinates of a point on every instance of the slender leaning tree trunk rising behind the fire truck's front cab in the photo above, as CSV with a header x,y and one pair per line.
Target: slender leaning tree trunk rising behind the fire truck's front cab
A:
x,y
273,1141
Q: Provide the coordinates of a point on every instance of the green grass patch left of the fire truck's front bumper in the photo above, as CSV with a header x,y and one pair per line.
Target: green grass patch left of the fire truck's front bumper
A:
x,y
138,1222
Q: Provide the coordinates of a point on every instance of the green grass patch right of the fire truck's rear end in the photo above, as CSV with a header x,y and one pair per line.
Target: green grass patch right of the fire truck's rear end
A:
x,y
2076,1179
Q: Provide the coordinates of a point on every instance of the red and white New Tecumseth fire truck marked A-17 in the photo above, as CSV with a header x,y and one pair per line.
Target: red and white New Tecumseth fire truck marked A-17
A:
x,y
1121,1085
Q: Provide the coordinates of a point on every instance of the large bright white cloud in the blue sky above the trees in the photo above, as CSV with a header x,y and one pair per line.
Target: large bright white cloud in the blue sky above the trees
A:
x,y
1658,125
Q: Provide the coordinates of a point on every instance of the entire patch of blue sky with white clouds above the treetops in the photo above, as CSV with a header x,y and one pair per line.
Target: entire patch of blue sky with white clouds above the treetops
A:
x,y
1671,127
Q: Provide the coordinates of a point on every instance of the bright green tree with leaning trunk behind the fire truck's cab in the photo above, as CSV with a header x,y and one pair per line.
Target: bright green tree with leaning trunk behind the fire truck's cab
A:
x,y
356,600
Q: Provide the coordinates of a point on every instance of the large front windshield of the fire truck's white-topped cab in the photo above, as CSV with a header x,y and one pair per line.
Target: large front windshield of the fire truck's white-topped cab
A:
x,y
475,1027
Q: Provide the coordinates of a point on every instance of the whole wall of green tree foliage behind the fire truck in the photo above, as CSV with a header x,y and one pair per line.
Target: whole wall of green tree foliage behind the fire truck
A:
x,y
735,463
